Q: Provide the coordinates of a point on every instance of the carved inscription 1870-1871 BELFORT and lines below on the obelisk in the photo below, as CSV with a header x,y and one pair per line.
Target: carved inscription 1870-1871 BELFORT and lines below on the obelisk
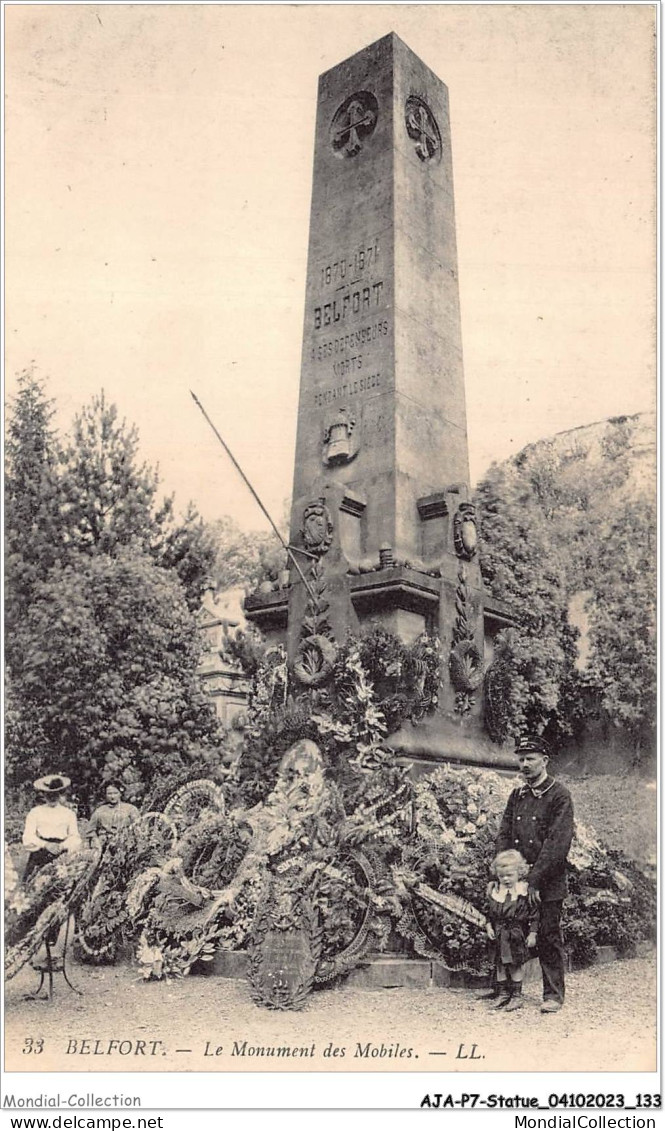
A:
x,y
351,295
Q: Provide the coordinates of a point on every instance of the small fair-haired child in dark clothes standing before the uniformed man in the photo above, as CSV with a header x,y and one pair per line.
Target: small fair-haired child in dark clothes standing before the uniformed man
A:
x,y
513,927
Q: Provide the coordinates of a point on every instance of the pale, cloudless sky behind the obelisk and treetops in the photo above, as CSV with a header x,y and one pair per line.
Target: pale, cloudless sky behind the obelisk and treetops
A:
x,y
159,163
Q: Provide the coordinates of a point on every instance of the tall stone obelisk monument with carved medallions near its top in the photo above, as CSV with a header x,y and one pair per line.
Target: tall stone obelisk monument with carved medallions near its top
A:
x,y
382,510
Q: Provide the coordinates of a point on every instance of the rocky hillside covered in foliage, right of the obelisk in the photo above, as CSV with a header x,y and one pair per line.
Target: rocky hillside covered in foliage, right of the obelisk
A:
x,y
569,539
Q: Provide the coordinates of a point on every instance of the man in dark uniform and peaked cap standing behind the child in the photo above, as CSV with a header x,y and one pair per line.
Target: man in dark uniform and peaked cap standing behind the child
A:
x,y
539,822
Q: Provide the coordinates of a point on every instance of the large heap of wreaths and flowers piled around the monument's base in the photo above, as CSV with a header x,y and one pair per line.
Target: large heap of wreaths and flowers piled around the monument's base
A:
x,y
334,839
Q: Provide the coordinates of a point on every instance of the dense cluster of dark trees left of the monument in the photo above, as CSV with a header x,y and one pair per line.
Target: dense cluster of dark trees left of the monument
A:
x,y
102,649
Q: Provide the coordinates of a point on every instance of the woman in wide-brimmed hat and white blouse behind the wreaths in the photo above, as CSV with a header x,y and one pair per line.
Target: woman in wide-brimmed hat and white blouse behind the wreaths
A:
x,y
50,827
